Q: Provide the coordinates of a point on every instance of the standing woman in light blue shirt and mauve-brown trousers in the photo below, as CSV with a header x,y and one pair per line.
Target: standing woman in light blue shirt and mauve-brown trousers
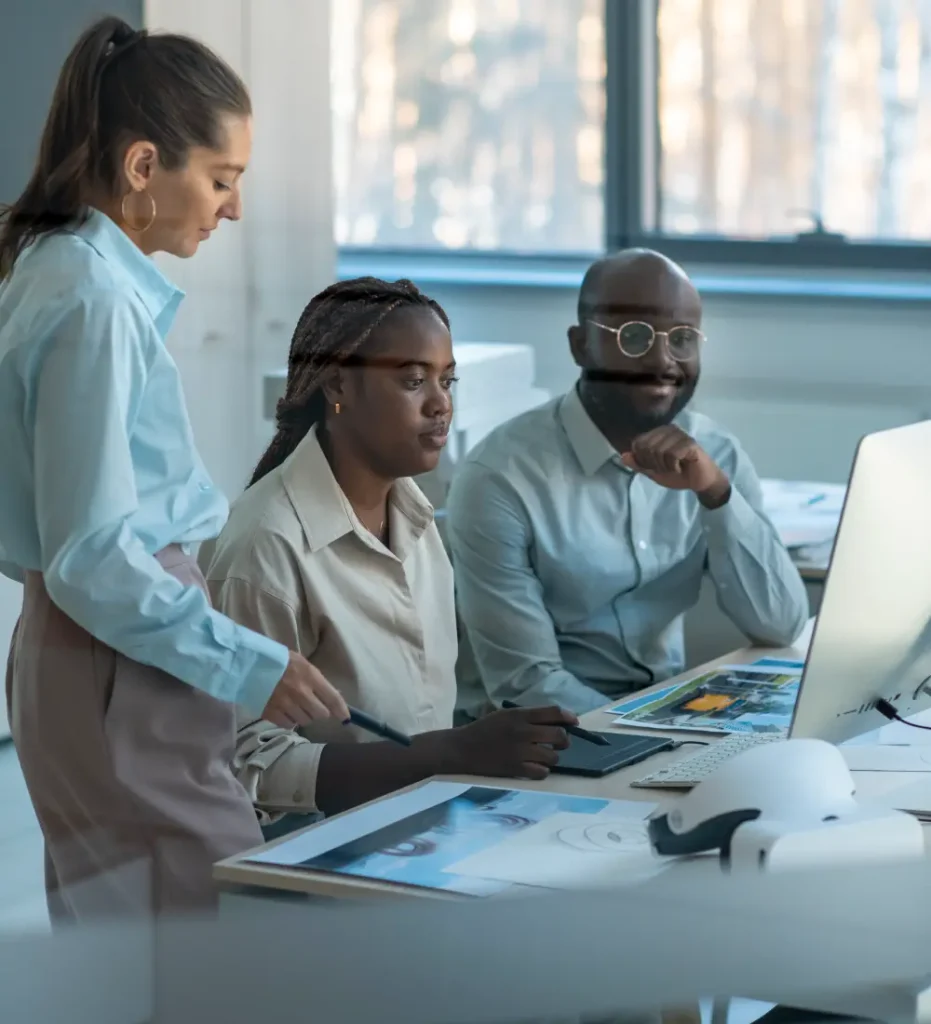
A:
x,y
121,679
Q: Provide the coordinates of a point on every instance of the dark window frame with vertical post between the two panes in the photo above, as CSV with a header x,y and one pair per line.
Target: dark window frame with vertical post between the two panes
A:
x,y
631,162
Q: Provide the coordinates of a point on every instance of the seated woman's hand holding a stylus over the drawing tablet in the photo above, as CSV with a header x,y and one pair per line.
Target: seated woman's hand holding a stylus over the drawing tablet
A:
x,y
518,744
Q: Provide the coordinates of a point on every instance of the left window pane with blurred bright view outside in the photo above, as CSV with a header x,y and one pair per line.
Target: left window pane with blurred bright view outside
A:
x,y
470,124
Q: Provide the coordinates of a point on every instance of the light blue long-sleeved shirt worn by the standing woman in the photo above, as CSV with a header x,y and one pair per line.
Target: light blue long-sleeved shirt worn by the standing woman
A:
x,y
99,466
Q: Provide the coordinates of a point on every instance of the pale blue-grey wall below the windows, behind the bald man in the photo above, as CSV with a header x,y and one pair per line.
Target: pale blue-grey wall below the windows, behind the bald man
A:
x,y
800,381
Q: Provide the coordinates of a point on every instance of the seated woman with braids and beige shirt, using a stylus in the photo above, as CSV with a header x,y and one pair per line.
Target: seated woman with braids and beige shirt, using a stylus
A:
x,y
333,551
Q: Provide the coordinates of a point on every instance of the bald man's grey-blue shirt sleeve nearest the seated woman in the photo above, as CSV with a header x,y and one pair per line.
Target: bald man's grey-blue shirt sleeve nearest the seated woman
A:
x,y
500,598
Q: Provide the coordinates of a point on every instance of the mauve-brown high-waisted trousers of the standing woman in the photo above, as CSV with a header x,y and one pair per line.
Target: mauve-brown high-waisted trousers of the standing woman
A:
x,y
126,766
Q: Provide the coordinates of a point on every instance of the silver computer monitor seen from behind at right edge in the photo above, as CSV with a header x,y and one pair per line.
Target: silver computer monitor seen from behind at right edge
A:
x,y
873,634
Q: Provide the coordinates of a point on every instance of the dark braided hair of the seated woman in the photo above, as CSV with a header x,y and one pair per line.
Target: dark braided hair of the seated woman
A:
x,y
335,325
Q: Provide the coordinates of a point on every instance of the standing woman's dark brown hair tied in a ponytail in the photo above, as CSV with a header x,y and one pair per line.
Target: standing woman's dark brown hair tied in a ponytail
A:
x,y
117,87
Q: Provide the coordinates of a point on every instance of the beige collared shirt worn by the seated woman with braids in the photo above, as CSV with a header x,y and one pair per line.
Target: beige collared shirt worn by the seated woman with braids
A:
x,y
294,563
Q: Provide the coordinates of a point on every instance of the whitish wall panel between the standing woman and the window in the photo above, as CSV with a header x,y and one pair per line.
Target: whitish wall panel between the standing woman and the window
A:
x,y
247,287
